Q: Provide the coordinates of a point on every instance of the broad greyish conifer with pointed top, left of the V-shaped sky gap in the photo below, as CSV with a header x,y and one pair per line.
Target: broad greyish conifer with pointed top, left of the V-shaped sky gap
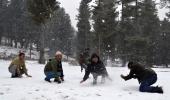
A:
x,y
61,33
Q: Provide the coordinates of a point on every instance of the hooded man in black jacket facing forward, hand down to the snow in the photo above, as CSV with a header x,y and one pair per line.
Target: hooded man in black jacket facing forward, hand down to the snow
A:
x,y
96,68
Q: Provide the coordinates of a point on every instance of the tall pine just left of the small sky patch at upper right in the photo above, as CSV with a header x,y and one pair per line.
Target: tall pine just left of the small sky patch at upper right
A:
x,y
150,26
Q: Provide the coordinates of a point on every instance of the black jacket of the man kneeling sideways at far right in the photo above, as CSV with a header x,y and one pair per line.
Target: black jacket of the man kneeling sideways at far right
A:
x,y
140,72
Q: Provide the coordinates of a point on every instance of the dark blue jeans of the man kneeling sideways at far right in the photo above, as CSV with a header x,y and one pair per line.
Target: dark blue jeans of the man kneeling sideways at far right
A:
x,y
145,85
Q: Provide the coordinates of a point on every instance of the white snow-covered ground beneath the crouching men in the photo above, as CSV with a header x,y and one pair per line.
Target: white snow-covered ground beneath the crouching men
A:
x,y
36,88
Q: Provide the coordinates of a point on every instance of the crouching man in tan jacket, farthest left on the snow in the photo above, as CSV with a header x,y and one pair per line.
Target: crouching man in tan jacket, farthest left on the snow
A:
x,y
17,67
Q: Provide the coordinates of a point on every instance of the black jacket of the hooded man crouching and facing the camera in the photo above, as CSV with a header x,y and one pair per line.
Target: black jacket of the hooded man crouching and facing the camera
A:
x,y
98,68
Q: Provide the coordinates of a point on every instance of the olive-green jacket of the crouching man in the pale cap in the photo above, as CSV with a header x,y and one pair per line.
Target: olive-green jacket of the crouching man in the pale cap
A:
x,y
51,66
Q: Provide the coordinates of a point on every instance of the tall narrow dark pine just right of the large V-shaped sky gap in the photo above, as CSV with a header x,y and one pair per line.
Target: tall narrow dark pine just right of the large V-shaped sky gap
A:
x,y
84,34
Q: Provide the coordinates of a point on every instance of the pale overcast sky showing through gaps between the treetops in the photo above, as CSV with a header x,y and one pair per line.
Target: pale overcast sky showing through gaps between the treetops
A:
x,y
71,7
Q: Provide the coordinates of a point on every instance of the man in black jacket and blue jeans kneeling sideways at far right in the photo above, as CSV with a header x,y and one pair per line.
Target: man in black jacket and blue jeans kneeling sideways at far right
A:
x,y
145,76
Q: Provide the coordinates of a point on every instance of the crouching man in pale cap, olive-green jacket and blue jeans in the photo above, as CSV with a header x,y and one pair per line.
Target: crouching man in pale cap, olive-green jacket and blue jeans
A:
x,y
53,69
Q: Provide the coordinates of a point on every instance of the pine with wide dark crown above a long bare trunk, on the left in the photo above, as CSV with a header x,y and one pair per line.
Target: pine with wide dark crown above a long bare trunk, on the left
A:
x,y
41,11
